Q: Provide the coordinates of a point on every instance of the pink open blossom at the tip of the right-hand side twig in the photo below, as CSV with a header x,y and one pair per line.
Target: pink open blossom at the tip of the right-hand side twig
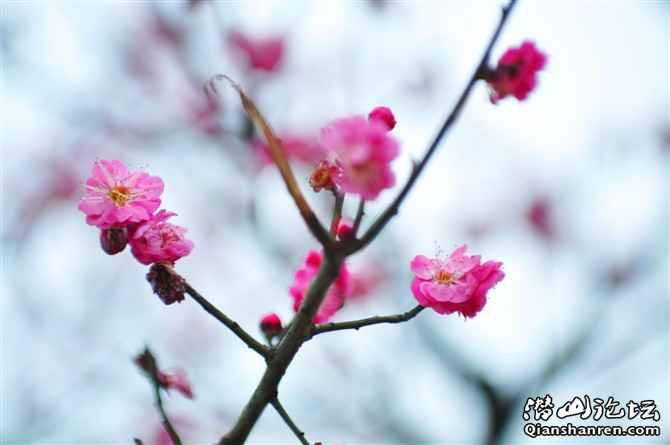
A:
x,y
459,284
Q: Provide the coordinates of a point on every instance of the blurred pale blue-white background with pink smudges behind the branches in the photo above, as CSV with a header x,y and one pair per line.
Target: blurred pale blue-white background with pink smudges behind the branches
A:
x,y
568,188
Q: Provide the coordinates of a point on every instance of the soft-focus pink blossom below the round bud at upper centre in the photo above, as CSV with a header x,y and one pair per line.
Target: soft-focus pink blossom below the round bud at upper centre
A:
x,y
364,151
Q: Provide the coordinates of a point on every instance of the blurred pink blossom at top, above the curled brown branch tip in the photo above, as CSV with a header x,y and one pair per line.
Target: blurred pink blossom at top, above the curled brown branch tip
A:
x,y
261,54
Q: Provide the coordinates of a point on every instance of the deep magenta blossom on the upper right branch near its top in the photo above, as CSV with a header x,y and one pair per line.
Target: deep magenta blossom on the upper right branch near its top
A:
x,y
516,73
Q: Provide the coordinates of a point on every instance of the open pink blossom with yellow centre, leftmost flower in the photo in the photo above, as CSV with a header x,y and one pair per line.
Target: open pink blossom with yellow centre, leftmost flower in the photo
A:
x,y
116,197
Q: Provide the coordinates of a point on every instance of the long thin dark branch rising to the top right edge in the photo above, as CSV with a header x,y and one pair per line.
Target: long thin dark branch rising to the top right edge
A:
x,y
394,207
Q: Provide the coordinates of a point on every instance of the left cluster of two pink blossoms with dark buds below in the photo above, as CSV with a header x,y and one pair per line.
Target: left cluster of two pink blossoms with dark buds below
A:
x,y
123,204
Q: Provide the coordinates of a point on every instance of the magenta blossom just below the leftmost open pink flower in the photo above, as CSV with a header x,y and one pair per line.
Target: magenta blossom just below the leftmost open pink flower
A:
x,y
157,240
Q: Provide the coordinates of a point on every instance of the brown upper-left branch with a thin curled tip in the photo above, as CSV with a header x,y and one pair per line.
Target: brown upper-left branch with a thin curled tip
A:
x,y
278,156
